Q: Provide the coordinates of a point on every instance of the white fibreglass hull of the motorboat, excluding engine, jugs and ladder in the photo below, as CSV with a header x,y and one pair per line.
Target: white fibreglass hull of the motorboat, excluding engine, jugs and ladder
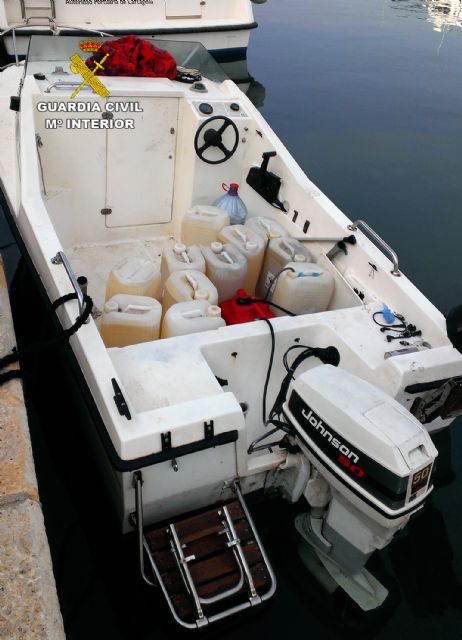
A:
x,y
177,389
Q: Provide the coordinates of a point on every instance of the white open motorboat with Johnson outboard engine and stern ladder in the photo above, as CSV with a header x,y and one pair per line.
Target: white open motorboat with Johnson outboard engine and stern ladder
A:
x,y
356,384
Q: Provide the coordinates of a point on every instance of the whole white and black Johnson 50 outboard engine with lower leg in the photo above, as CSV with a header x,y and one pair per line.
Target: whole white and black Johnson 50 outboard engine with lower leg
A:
x,y
371,466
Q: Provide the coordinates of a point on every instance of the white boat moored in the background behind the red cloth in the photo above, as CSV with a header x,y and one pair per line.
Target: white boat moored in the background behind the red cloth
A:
x,y
222,26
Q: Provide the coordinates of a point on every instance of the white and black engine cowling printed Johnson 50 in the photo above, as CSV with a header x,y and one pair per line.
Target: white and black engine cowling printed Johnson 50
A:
x,y
368,447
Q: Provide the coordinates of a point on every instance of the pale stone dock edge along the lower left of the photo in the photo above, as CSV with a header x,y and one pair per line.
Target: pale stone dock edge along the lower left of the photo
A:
x,y
29,607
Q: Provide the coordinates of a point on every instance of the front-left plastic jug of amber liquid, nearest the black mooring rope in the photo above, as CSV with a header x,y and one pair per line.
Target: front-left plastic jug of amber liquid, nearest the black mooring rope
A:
x,y
129,320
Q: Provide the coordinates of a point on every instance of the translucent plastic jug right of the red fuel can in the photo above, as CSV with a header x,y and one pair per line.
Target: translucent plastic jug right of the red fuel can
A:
x,y
306,289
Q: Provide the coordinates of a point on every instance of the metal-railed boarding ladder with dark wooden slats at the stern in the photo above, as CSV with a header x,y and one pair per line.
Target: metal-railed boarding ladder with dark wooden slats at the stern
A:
x,y
209,565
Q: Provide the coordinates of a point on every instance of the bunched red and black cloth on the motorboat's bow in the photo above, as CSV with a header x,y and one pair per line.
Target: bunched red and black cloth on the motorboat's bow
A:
x,y
132,56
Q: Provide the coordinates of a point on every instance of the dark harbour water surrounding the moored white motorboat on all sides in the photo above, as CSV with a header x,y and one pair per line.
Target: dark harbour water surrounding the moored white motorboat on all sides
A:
x,y
367,96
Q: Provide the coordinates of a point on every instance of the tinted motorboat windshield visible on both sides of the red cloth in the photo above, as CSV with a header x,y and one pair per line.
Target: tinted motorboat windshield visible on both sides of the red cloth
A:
x,y
191,55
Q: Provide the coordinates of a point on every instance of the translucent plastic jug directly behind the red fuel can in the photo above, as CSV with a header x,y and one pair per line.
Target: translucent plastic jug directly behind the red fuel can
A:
x,y
226,267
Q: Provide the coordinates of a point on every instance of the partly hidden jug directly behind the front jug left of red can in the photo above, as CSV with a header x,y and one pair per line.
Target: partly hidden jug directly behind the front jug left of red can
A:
x,y
182,286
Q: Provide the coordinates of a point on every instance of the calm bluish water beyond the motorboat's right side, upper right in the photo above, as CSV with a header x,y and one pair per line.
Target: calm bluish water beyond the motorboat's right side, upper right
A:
x,y
367,96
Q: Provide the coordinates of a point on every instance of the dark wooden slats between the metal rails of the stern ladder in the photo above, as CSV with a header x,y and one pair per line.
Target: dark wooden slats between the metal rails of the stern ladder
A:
x,y
215,568
